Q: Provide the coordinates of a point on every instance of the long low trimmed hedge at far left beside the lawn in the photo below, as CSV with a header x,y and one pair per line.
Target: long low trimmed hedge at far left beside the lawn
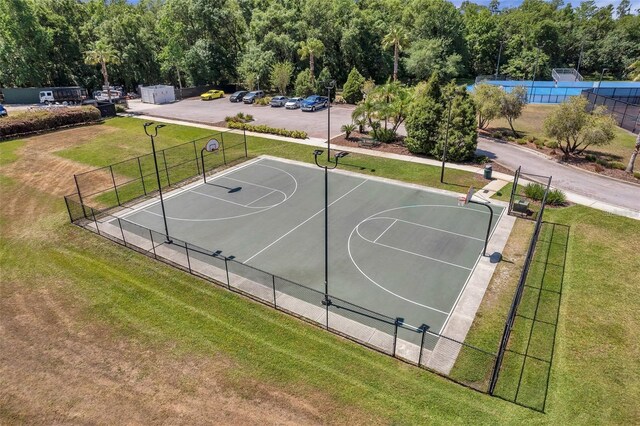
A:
x,y
46,119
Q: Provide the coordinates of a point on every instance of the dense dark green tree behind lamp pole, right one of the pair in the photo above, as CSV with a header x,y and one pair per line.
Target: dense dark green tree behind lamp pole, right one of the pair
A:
x,y
463,133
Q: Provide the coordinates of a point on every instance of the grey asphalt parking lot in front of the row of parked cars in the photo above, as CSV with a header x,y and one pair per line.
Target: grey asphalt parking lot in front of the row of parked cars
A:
x,y
211,112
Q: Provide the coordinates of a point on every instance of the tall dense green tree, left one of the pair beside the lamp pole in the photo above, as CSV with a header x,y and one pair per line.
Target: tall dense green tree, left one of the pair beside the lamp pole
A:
x,y
424,117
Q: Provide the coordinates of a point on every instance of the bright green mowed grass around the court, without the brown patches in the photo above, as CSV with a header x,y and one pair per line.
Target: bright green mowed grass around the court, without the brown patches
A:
x,y
595,374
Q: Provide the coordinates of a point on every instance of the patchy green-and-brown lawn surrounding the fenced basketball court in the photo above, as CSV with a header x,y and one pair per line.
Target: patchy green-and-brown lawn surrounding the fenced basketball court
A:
x,y
93,332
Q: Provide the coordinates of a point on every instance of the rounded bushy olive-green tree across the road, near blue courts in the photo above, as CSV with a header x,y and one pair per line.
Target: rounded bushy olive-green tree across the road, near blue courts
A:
x,y
575,129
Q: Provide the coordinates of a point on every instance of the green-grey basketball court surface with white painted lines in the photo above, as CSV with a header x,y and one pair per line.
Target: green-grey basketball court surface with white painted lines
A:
x,y
400,250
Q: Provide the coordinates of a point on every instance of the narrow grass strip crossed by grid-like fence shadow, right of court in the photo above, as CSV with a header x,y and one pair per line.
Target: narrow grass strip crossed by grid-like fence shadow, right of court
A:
x,y
525,373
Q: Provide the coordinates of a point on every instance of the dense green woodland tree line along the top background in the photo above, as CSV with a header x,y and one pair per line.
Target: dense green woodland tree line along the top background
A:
x,y
191,42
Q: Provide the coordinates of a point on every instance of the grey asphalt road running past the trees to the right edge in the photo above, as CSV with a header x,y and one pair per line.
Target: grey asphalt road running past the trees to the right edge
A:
x,y
565,177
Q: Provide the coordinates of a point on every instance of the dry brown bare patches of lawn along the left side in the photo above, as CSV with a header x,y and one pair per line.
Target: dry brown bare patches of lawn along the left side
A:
x,y
57,365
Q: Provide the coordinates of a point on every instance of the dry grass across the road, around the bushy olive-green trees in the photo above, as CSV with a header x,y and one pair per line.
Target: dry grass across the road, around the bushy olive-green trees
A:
x,y
531,124
